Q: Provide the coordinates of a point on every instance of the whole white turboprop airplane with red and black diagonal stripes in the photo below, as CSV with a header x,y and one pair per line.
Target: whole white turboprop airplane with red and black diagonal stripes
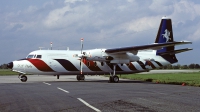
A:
x,y
125,60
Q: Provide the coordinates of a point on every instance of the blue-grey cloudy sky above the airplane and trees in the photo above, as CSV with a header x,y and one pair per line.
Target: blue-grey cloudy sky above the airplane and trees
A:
x,y
26,25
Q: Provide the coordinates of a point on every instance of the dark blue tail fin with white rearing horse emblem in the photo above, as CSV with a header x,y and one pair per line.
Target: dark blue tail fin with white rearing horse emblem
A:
x,y
165,34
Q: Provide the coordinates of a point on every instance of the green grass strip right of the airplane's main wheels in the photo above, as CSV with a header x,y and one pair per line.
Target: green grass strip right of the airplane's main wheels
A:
x,y
191,79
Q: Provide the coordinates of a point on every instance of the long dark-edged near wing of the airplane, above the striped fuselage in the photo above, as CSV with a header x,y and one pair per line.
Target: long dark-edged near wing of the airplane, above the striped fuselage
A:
x,y
155,46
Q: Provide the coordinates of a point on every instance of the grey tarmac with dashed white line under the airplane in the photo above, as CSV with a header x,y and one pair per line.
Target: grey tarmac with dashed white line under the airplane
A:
x,y
46,93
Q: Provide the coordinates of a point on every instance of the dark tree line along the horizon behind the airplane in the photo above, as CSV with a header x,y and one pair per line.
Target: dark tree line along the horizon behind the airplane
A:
x,y
178,66
